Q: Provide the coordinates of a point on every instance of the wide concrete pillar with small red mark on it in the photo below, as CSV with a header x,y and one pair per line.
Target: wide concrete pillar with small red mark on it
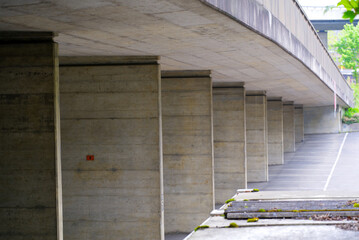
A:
x,y
112,147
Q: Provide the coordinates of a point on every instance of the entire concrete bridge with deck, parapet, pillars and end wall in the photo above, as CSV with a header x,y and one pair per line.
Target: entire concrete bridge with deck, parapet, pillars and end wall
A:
x,y
136,117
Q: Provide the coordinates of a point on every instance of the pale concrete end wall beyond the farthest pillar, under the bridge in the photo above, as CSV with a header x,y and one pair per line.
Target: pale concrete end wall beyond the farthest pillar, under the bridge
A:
x,y
322,120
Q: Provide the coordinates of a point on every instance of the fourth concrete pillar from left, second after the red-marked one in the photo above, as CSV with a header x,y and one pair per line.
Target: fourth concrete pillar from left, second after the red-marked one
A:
x,y
229,128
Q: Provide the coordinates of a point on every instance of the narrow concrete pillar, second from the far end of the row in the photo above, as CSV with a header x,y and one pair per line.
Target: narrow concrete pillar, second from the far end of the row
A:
x,y
288,127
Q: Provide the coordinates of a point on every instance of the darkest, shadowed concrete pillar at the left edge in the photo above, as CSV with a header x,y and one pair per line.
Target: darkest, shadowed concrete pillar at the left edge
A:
x,y
30,162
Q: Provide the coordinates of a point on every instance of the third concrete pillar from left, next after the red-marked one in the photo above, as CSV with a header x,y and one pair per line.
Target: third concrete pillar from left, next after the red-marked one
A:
x,y
187,148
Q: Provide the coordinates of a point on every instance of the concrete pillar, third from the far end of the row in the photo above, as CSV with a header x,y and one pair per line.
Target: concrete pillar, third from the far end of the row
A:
x,y
275,131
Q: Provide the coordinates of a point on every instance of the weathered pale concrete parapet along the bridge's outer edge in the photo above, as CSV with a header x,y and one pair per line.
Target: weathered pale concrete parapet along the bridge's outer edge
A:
x,y
285,23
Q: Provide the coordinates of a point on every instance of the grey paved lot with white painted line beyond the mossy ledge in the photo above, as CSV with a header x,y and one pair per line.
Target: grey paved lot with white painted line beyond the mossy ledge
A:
x,y
310,167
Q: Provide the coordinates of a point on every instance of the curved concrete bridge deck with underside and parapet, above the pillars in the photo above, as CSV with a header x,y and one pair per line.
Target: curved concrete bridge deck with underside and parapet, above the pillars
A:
x,y
268,46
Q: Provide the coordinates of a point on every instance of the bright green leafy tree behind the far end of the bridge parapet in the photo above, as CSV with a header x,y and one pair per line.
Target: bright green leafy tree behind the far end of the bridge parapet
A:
x,y
348,47
